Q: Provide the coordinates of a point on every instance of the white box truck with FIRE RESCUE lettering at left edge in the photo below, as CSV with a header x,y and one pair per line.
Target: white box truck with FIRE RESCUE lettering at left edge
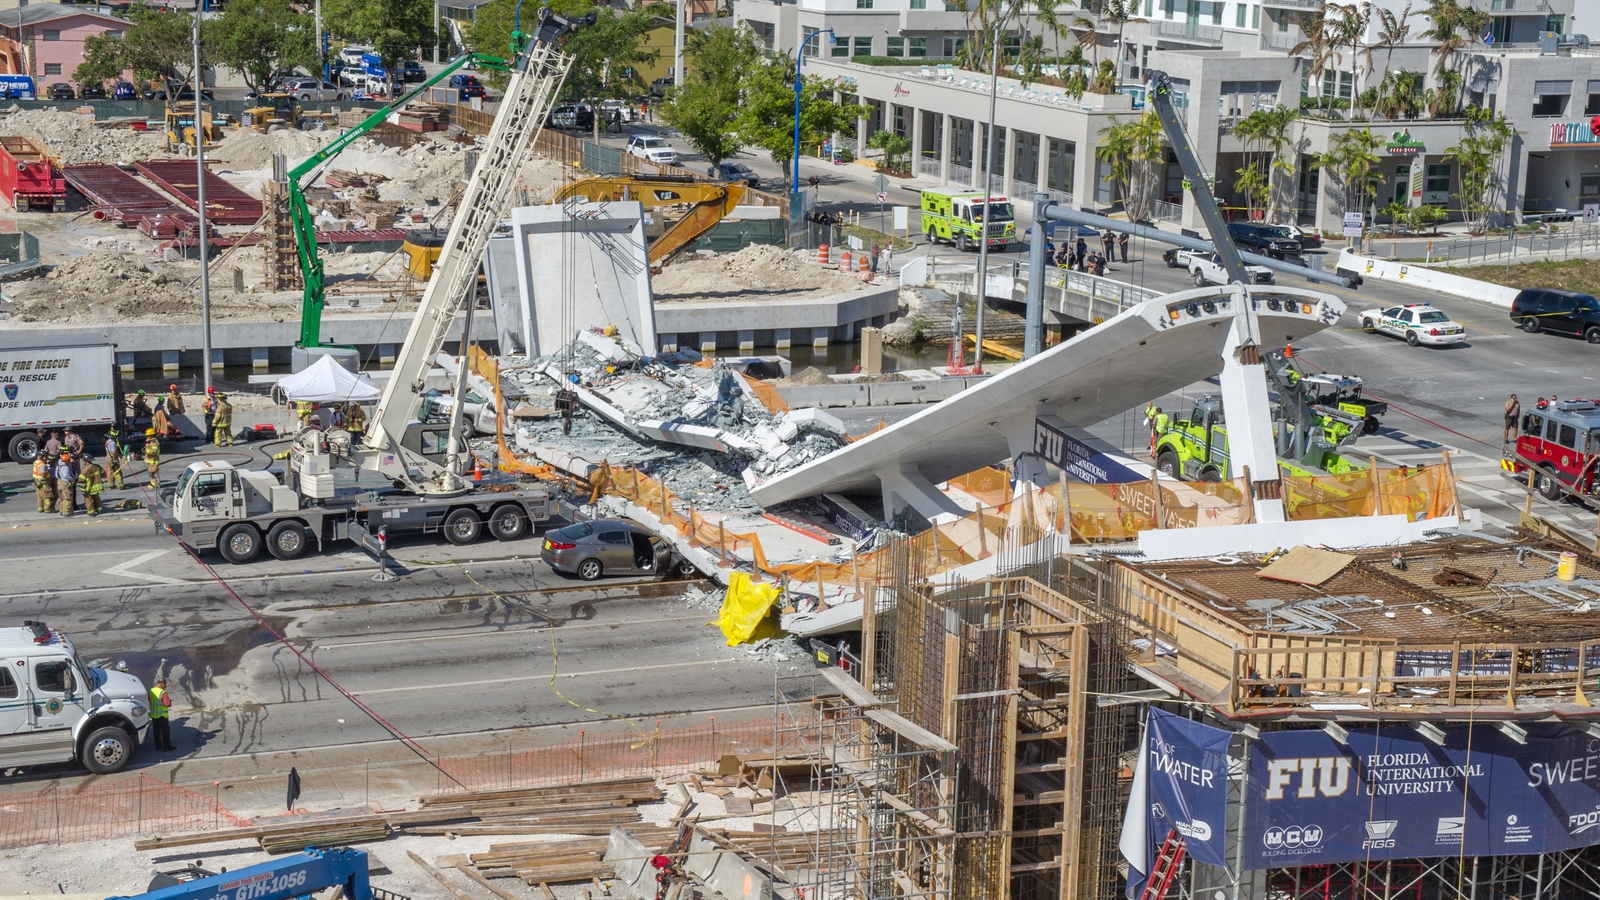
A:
x,y
55,382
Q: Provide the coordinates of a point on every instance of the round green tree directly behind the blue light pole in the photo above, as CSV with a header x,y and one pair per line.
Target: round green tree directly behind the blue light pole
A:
x,y
767,116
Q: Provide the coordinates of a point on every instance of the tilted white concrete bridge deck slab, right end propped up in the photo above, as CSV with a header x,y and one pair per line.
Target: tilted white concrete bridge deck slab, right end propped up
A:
x,y
1153,348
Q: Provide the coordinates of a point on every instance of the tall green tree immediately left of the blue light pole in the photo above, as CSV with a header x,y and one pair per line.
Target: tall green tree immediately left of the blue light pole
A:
x,y
706,106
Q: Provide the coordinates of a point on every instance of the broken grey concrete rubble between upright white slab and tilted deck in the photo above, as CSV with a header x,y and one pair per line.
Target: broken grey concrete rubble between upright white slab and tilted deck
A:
x,y
670,416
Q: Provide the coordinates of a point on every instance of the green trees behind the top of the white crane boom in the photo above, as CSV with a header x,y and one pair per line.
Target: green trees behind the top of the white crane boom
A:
x,y
607,54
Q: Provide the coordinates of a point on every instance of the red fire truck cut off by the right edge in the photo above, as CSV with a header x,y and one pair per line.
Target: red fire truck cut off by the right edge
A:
x,y
1561,444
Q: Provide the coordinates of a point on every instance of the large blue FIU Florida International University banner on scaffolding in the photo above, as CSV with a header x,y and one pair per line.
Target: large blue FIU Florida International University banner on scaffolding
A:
x,y
1393,795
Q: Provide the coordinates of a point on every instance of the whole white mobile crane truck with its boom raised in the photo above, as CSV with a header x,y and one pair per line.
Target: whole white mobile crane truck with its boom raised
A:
x,y
239,512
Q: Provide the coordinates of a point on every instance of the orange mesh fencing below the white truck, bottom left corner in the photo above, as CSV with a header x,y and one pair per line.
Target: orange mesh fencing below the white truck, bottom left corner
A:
x,y
108,810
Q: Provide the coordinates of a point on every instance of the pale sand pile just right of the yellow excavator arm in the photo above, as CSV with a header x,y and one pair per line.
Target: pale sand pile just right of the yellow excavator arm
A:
x,y
761,271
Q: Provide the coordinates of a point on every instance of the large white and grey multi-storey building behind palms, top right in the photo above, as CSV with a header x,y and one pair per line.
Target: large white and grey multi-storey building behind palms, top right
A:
x,y
1226,58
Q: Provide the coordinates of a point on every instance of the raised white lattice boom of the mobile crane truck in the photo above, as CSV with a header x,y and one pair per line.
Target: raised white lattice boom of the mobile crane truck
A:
x,y
537,78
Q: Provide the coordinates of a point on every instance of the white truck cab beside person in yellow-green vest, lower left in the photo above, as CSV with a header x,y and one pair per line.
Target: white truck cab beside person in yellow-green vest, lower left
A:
x,y
54,709
